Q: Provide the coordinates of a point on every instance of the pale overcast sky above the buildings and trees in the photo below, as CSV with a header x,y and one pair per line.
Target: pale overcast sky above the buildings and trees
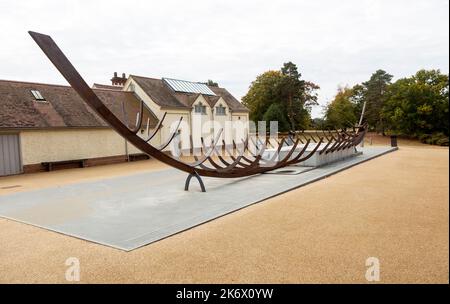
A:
x,y
332,42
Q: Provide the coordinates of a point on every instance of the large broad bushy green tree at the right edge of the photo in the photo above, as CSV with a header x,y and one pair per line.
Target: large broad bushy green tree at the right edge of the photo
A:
x,y
419,104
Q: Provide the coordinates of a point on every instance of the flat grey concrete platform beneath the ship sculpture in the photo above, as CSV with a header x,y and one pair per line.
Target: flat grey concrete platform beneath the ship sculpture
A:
x,y
128,212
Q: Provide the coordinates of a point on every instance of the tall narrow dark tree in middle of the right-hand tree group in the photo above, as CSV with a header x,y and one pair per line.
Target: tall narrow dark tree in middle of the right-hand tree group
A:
x,y
375,96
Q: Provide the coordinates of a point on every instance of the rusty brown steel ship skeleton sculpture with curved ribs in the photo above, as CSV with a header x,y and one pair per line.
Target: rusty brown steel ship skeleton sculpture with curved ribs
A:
x,y
244,159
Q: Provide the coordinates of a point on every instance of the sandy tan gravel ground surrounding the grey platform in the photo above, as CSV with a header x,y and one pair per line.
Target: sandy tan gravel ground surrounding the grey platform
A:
x,y
395,208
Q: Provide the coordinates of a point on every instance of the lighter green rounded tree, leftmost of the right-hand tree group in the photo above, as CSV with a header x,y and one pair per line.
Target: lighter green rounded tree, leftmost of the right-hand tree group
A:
x,y
340,113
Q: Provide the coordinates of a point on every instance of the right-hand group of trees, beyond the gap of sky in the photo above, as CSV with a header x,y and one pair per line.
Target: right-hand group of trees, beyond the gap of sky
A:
x,y
414,107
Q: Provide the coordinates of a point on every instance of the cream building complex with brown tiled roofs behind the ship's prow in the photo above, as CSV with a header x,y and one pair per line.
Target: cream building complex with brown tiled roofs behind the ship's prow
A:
x,y
44,126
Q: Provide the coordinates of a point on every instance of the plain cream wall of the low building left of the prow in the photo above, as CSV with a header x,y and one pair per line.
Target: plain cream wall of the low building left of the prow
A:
x,y
39,146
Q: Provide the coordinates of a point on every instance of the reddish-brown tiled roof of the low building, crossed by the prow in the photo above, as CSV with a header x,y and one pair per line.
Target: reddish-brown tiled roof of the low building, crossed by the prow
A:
x,y
63,106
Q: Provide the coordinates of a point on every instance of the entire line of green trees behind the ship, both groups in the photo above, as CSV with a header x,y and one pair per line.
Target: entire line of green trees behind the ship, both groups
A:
x,y
415,106
